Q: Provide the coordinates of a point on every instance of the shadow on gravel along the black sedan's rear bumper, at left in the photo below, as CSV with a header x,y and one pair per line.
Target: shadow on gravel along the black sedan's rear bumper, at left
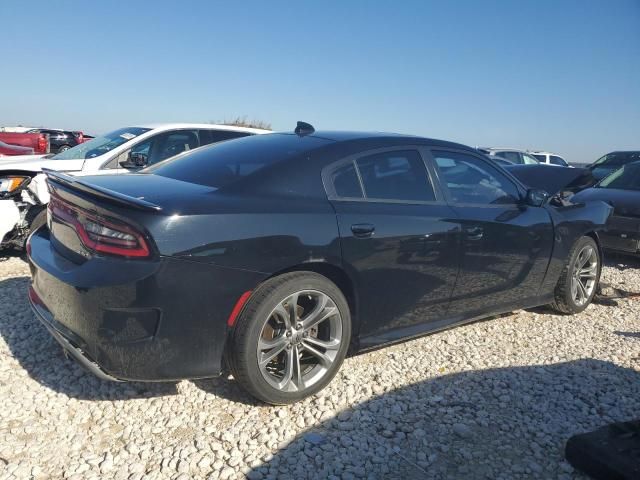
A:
x,y
42,358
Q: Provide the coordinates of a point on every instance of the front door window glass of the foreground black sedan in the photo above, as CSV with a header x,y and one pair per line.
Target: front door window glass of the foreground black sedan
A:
x,y
473,181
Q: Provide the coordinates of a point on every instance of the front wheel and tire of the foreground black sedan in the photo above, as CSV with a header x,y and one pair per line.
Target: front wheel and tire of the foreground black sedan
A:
x,y
579,279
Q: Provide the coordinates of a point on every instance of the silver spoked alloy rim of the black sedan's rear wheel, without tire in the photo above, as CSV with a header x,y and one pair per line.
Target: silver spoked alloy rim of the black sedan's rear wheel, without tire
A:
x,y
299,341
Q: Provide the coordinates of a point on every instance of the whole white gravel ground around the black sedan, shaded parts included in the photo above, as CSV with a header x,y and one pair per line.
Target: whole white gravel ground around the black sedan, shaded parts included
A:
x,y
494,399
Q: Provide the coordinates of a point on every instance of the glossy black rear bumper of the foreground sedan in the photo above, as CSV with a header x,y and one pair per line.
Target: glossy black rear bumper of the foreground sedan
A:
x,y
136,320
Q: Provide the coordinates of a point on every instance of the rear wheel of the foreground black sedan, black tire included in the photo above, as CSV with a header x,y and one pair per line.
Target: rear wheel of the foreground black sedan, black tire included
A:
x,y
291,338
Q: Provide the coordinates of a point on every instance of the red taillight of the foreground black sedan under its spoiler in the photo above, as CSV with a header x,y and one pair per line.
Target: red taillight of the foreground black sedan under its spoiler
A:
x,y
98,233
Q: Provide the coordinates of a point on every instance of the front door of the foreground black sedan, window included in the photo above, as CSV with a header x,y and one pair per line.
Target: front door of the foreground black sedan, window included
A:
x,y
506,245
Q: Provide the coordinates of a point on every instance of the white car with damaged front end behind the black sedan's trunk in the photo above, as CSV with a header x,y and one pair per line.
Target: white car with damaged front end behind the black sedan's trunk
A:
x,y
122,151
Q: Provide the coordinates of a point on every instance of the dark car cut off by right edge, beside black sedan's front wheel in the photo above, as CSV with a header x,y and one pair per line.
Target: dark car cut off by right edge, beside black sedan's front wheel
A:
x,y
621,189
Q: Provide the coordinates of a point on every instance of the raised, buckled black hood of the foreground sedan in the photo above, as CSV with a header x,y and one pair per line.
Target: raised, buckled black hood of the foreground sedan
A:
x,y
553,180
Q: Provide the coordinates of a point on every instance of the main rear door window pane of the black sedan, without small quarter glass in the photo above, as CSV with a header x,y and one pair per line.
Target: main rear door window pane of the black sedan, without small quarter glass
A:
x,y
396,175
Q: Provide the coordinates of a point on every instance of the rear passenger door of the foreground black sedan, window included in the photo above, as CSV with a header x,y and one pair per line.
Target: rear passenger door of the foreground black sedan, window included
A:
x,y
399,240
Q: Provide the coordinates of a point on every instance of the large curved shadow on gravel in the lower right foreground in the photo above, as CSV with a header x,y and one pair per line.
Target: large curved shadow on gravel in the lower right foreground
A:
x,y
500,423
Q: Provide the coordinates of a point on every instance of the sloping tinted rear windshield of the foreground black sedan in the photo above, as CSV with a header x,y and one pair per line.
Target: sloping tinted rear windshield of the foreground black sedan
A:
x,y
222,164
